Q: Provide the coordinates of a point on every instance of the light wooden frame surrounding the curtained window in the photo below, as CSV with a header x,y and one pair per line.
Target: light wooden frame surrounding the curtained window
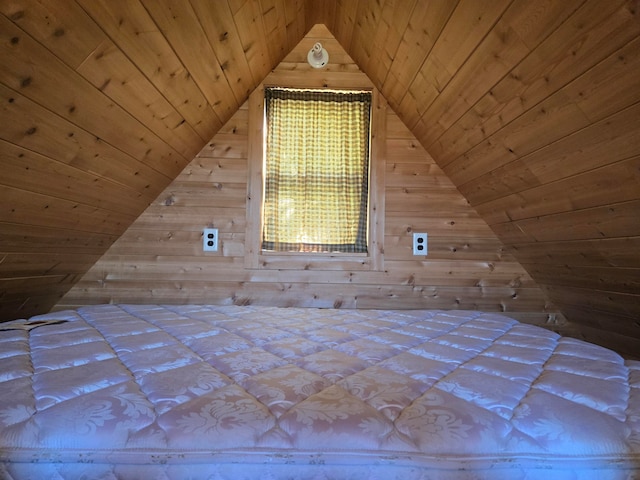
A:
x,y
256,258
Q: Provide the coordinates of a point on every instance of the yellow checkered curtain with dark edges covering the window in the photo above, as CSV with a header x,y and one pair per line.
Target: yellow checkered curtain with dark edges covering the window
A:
x,y
317,170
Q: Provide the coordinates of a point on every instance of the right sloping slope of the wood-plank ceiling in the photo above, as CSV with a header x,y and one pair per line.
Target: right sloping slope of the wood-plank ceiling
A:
x,y
532,108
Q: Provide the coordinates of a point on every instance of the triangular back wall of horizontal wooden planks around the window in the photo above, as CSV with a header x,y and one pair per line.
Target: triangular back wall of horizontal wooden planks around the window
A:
x,y
160,257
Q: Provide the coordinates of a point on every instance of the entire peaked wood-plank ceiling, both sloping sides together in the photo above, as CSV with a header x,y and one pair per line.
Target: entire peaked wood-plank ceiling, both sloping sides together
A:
x,y
531,107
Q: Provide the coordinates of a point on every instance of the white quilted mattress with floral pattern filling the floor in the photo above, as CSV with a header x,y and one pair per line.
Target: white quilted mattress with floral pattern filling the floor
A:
x,y
234,392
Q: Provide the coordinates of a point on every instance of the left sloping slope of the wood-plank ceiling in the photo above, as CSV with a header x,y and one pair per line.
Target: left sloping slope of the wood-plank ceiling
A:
x,y
103,103
